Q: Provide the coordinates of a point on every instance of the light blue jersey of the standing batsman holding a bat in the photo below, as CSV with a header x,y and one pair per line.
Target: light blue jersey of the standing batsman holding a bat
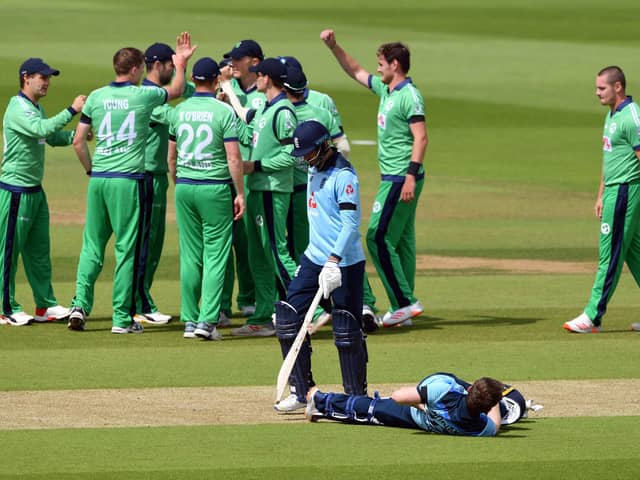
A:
x,y
333,209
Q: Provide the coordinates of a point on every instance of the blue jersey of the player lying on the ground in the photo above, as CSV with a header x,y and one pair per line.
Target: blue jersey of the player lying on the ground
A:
x,y
445,398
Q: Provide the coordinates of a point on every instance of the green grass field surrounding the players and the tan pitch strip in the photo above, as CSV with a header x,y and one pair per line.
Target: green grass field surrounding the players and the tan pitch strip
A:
x,y
513,168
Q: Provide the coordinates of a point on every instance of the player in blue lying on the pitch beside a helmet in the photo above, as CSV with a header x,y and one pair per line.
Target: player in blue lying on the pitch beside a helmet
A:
x,y
440,403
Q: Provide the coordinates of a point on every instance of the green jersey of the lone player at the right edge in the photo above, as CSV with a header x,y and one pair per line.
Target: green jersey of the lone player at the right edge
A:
x,y
620,141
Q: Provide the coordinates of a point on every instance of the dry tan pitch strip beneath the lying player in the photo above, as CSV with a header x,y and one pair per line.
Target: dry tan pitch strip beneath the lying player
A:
x,y
212,405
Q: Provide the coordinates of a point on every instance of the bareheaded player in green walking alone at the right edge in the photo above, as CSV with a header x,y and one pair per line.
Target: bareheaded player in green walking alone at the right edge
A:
x,y
618,202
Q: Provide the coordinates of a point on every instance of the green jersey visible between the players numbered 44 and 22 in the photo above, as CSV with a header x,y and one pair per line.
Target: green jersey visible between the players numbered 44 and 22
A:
x,y
158,137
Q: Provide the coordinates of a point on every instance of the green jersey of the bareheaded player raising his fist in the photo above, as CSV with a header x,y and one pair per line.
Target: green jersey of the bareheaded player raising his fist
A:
x,y
397,110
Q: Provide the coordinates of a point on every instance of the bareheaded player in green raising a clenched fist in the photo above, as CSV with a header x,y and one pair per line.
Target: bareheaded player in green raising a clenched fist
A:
x,y
402,142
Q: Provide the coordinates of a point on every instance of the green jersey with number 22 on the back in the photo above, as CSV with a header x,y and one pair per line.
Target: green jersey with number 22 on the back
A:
x,y
200,126
